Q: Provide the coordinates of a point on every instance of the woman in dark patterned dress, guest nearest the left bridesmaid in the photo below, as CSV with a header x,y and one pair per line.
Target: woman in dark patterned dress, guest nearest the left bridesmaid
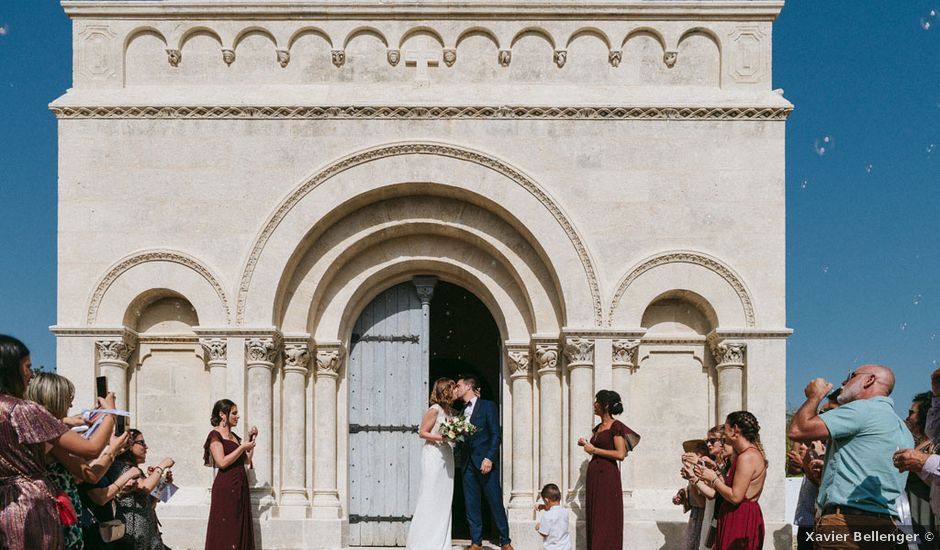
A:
x,y
136,507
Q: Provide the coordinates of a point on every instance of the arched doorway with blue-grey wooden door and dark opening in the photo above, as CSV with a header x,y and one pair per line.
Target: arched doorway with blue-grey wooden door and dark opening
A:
x,y
404,339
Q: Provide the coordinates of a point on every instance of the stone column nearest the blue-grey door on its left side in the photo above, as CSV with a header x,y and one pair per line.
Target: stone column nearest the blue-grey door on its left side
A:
x,y
325,495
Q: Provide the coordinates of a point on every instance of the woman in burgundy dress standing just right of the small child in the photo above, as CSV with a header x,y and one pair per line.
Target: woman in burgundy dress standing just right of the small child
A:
x,y
609,445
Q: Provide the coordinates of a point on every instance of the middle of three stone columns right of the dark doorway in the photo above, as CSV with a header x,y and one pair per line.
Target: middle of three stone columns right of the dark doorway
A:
x,y
546,361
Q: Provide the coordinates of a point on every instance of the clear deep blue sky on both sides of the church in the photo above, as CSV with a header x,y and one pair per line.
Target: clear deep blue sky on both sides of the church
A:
x,y
863,216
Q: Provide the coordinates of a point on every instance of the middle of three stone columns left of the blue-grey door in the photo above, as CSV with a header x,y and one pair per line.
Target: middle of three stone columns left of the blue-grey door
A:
x,y
293,425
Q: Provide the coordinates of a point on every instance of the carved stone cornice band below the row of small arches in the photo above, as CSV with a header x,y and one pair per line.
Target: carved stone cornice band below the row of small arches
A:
x,y
478,112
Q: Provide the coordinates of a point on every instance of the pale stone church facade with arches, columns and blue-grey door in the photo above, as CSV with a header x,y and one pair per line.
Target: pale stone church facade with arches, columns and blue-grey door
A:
x,y
261,200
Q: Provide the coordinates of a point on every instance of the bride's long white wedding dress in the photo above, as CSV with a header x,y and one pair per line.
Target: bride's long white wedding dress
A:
x,y
430,524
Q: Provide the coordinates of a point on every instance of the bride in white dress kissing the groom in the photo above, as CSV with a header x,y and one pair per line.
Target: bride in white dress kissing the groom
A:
x,y
430,524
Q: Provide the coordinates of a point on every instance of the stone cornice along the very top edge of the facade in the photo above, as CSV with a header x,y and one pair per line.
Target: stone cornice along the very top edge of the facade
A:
x,y
434,9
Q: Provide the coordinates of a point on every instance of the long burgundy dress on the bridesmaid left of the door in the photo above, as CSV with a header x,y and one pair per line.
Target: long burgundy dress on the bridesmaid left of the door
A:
x,y
230,522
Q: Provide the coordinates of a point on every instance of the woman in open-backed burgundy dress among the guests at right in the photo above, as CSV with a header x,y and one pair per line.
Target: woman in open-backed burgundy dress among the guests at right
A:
x,y
740,521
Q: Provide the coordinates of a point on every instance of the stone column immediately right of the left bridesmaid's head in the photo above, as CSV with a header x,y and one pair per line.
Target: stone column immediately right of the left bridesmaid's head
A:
x,y
260,354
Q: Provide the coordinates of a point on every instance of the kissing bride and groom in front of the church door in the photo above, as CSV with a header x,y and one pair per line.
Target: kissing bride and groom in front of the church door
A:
x,y
477,466
